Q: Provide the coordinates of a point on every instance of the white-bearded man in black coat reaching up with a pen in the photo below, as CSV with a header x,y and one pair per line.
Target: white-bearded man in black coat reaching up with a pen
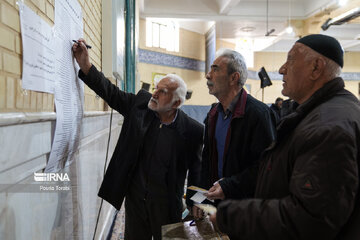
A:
x,y
158,144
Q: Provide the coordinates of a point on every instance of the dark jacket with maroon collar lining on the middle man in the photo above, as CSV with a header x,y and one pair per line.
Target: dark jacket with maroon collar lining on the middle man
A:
x,y
251,130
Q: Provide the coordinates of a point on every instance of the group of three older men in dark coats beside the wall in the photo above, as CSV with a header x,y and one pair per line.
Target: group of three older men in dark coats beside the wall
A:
x,y
289,171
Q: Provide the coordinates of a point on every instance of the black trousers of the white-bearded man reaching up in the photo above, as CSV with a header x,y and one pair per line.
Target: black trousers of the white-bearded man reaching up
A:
x,y
144,218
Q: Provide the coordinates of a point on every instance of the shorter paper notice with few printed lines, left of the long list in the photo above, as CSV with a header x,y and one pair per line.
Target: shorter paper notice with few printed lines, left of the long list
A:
x,y
38,51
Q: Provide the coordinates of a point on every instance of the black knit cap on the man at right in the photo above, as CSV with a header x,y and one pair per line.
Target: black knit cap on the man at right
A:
x,y
325,45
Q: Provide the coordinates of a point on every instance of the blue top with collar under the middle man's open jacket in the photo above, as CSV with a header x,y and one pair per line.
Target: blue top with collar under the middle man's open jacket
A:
x,y
221,130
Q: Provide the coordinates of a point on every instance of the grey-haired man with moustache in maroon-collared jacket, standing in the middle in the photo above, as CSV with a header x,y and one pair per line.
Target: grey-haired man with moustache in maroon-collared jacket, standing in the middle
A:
x,y
237,130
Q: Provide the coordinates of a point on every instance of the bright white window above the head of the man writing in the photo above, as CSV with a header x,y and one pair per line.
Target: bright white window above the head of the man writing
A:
x,y
162,34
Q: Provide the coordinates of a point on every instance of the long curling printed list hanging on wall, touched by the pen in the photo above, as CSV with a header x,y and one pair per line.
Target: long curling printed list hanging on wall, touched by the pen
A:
x,y
69,90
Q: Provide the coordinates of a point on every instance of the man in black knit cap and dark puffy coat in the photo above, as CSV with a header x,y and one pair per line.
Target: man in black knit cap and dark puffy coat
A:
x,y
308,183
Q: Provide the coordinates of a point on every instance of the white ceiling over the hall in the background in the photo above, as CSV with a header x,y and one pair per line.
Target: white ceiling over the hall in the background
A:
x,y
252,19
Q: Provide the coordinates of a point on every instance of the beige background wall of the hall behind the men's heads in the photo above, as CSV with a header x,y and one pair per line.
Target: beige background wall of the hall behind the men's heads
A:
x,y
192,45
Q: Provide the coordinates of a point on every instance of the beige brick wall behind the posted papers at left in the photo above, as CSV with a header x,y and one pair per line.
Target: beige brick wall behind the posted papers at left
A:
x,y
12,97
